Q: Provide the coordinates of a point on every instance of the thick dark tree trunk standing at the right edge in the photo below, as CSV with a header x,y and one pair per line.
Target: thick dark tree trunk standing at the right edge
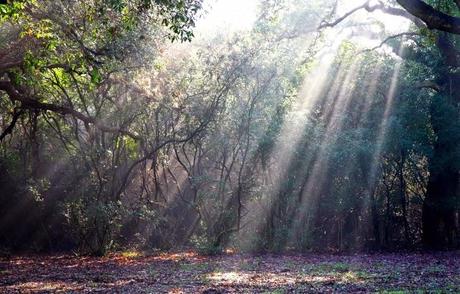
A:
x,y
439,207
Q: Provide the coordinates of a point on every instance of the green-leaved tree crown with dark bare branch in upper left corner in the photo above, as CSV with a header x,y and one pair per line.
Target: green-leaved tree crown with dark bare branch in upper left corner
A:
x,y
41,43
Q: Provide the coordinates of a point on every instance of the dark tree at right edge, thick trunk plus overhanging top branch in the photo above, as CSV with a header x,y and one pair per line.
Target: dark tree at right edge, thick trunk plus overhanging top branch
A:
x,y
440,203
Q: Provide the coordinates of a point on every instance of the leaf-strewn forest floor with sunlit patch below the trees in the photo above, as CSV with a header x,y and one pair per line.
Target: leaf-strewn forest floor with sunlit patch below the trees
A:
x,y
188,272
